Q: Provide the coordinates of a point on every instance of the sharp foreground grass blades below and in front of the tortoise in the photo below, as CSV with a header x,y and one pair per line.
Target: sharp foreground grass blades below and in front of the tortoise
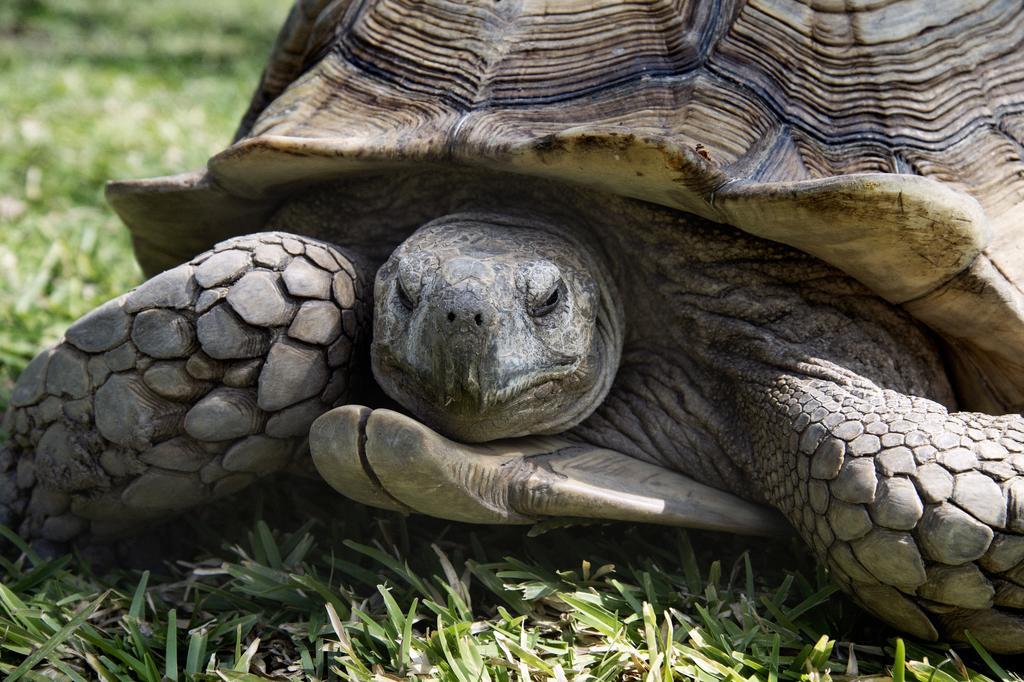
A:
x,y
378,596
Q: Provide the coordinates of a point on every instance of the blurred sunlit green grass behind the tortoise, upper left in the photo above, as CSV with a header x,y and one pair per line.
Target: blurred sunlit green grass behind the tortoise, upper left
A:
x,y
93,91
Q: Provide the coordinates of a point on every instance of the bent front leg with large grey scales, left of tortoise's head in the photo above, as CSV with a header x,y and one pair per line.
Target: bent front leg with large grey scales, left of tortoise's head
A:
x,y
184,391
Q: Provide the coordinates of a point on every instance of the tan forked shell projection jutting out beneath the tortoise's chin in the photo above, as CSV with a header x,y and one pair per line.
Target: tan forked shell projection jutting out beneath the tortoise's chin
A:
x,y
389,460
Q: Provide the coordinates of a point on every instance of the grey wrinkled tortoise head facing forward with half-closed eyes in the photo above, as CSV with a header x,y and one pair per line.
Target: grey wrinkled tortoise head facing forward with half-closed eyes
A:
x,y
486,328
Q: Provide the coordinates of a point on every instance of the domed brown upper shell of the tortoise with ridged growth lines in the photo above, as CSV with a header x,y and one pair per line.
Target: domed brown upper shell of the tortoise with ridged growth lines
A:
x,y
884,138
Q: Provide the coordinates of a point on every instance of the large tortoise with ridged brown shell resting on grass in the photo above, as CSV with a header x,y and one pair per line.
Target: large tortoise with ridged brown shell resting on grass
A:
x,y
744,267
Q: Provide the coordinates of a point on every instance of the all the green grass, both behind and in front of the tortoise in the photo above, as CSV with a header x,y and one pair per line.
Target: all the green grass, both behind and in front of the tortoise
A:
x,y
295,584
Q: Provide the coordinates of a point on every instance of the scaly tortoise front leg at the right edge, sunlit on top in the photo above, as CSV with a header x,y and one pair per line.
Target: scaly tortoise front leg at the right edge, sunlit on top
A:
x,y
918,513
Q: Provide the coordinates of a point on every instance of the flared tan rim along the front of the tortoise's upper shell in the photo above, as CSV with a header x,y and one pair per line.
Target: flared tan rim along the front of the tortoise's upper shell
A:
x,y
906,237
